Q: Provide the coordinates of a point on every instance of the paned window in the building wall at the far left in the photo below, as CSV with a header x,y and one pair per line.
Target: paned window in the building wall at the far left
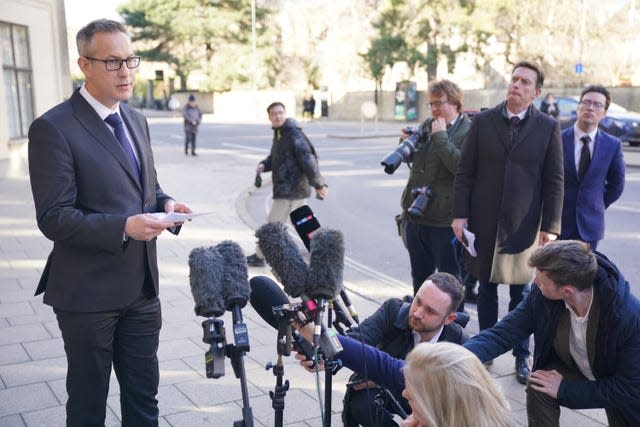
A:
x,y
17,72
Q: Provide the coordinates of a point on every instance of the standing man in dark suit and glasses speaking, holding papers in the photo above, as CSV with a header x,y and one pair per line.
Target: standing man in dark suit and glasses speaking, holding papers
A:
x,y
94,183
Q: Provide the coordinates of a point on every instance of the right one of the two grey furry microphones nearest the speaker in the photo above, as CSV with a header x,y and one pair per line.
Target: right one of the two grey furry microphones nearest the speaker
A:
x,y
235,288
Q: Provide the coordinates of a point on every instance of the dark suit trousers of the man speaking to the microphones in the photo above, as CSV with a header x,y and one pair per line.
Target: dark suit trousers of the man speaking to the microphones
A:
x,y
126,339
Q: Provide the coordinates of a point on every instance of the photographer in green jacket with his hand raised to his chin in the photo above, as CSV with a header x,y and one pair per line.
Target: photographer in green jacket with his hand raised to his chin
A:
x,y
428,197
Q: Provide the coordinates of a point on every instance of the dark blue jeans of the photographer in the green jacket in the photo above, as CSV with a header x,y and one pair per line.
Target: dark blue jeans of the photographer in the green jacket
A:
x,y
430,248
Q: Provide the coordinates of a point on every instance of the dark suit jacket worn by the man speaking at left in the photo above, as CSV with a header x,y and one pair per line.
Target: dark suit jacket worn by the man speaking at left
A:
x,y
84,189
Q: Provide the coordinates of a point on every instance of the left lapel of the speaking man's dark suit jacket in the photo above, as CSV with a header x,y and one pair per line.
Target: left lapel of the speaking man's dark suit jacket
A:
x,y
90,120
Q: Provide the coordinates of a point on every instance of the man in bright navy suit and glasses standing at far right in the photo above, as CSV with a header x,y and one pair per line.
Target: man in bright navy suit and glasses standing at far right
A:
x,y
593,169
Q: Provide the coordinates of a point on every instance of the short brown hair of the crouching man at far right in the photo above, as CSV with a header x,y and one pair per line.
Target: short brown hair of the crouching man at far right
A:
x,y
566,262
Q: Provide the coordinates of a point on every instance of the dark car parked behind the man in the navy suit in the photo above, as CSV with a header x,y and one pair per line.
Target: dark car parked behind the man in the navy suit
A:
x,y
618,122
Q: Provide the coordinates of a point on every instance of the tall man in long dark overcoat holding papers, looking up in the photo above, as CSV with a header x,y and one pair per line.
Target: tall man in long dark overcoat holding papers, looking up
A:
x,y
508,192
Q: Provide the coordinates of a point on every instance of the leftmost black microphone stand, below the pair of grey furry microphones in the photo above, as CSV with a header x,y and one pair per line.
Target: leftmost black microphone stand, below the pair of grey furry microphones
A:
x,y
236,353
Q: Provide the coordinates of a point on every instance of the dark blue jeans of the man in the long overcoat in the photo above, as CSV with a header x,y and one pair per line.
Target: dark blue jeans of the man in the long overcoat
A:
x,y
488,309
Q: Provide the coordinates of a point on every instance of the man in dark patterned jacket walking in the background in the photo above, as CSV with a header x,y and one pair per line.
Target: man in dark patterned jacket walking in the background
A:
x,y
294,168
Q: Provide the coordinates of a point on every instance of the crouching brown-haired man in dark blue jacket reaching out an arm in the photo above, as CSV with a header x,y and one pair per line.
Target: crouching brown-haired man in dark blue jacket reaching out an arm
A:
x,y
586,326
